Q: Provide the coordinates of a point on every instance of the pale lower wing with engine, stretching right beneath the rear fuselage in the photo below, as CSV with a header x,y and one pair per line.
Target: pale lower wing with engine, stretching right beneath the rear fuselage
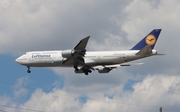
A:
x,y
108,68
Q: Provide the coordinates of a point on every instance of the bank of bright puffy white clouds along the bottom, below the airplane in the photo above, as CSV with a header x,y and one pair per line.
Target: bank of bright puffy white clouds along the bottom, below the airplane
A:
x,y
147,95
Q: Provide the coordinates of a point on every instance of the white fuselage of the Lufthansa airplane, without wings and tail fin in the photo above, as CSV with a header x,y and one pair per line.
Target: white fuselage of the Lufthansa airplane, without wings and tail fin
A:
x,y
93,58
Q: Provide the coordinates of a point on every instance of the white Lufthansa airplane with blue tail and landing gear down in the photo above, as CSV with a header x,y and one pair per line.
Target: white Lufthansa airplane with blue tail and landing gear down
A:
x,y
84,61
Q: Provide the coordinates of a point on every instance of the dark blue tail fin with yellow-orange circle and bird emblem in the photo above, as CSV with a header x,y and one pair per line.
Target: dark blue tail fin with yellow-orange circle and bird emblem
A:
x,y
150,40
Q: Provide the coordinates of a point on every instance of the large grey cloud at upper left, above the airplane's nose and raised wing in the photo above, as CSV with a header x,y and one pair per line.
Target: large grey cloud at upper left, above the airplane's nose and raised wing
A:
x,y
36,25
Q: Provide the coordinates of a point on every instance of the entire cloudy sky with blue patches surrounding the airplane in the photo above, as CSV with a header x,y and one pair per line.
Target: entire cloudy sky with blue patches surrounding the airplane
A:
x,y
28,25
